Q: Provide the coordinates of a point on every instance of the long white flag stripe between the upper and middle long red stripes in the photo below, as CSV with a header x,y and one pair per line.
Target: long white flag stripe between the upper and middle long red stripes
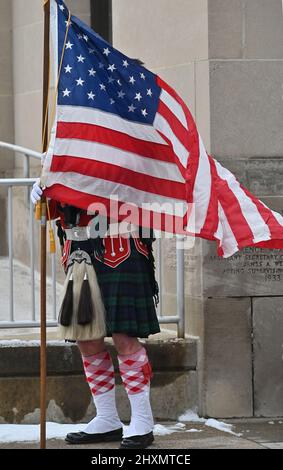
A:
x,y
104,153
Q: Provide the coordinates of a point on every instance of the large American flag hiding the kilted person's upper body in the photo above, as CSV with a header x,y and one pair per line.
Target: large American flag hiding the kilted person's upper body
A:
x,y
121,130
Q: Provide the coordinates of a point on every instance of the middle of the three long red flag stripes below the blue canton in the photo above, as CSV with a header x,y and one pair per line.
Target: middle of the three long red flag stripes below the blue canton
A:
x,y
119,175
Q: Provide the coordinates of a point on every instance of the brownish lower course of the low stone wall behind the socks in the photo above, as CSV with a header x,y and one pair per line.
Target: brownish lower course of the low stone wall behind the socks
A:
x,y
69,399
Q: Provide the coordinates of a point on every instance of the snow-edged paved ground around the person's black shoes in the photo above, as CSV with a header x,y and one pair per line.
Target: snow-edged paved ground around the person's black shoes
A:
x,y
255,434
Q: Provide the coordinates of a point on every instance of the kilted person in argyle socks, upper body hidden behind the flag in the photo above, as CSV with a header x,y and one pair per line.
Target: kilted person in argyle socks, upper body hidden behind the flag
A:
x,y
124,274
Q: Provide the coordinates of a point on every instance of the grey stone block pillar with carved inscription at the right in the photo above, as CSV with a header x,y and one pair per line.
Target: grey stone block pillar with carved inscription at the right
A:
x,y
239,329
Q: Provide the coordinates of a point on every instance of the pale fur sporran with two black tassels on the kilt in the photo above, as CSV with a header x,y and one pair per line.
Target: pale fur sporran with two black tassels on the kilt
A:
x,y
82,312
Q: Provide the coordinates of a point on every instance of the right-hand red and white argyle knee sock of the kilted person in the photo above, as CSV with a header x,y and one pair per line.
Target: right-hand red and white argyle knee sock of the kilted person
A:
x,y
135,370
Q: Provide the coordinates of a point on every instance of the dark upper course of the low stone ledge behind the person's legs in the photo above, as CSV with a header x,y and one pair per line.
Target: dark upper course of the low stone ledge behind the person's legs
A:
x,y
22,360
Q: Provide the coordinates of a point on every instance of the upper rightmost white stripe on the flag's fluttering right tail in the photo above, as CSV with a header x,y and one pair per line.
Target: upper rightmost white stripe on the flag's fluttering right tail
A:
x,y
249,209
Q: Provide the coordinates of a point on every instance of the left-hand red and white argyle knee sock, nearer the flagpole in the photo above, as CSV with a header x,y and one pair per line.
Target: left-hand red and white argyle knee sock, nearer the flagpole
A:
x,y
99,372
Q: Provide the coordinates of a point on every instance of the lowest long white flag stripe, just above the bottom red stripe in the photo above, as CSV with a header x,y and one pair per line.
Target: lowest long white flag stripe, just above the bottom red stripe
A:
x,y
103,188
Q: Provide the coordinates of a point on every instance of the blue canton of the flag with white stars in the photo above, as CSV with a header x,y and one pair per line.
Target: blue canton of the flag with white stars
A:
x,y
96,75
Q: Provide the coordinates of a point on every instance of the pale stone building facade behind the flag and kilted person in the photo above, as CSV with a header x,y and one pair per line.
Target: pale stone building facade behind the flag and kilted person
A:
x,y
225,58
